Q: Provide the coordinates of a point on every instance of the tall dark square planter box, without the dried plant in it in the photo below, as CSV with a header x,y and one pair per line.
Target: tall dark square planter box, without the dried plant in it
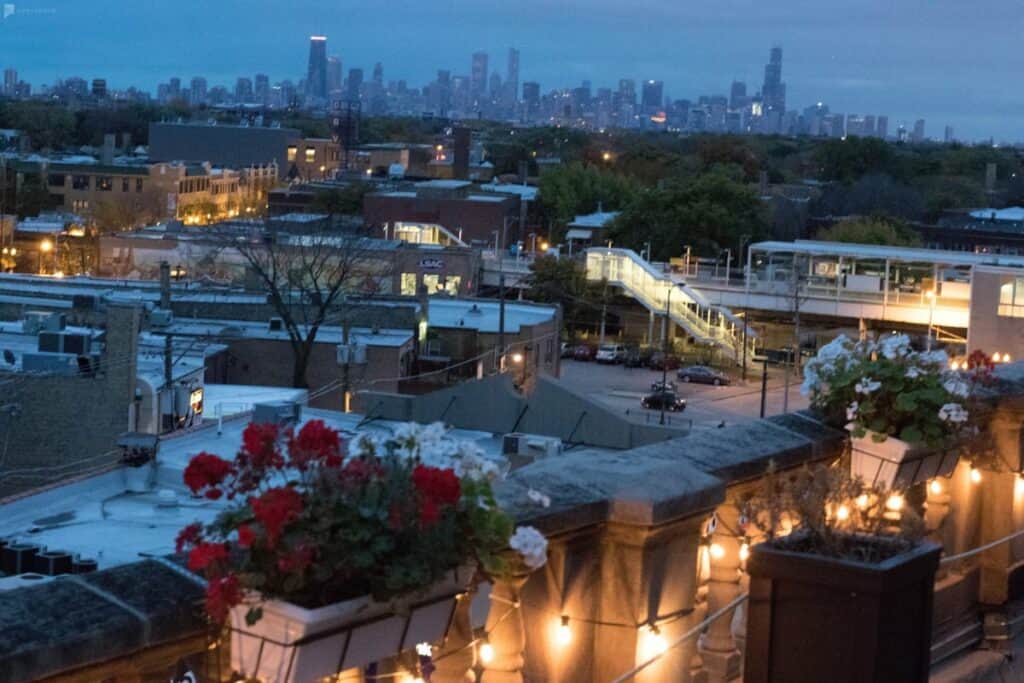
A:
x,y
814,619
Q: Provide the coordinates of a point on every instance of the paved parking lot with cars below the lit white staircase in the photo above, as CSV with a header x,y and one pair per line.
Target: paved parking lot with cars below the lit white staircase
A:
x,y
622,389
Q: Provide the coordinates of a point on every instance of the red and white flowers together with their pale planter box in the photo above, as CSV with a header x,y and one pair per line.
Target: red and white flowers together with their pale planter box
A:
x,y
330,558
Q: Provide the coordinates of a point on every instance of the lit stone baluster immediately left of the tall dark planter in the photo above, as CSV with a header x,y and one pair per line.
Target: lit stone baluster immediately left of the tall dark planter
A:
x,y
718,648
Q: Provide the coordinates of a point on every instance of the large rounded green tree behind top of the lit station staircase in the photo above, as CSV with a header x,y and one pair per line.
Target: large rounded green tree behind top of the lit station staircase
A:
x,y
709,214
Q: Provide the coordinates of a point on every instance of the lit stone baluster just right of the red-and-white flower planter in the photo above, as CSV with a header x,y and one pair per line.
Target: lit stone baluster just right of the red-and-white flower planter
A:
x,y
507,634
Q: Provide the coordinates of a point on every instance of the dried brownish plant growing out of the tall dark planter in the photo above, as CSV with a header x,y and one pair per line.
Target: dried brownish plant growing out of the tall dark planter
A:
x,y
826,511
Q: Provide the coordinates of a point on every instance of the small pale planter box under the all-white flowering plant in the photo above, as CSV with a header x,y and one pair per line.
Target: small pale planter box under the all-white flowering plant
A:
x,y
897,464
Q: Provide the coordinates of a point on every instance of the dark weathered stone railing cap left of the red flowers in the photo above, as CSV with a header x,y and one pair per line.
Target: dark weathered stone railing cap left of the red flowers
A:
x,y
80,620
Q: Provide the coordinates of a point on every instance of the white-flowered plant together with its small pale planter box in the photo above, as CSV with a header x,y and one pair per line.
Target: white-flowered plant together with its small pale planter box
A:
x,y
905,409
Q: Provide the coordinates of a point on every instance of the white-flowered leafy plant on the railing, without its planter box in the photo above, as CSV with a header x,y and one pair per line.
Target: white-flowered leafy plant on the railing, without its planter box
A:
x,y
887,390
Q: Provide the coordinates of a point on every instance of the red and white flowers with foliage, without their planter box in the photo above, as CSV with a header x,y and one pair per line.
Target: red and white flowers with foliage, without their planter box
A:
x,y
314,521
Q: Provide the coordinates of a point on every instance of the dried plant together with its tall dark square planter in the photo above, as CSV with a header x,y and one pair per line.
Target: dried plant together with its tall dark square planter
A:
x,y
847,595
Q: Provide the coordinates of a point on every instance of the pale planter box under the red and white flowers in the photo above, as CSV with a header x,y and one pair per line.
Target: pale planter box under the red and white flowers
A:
x,y
292,644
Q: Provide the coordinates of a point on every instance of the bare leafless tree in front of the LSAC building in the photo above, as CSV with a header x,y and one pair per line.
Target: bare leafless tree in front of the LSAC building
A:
x,y
310,280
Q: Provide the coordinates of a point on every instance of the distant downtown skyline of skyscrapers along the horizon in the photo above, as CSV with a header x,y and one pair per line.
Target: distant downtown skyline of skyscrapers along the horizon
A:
x,y
490,95
